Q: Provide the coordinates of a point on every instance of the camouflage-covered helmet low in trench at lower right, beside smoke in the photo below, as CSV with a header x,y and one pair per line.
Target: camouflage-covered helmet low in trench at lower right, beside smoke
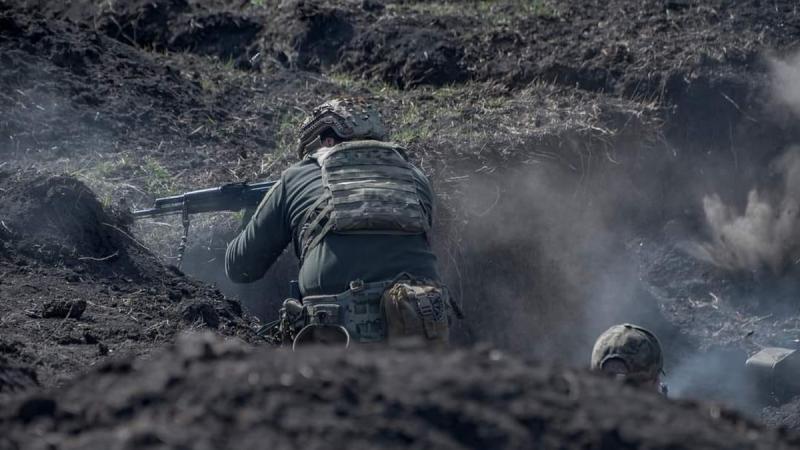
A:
x,y
637,348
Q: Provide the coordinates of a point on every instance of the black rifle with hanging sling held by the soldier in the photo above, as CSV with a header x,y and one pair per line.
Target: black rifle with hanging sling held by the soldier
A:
x,y
228,197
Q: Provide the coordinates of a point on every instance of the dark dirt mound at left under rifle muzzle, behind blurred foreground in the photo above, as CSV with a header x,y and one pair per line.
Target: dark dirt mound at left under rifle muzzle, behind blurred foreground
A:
x,y
76,286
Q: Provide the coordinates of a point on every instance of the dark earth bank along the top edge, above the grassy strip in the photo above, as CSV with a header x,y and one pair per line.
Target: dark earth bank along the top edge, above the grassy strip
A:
x,y
705,60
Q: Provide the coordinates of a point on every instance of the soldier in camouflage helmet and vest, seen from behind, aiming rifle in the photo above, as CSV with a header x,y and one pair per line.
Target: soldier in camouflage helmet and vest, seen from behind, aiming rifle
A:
x,y
358,214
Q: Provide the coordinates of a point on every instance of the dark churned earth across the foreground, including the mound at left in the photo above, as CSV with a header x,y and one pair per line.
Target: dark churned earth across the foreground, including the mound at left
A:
x,y
66,315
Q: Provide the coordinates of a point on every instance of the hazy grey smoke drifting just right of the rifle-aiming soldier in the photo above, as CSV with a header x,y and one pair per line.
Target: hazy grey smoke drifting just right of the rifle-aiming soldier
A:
x,y
545,260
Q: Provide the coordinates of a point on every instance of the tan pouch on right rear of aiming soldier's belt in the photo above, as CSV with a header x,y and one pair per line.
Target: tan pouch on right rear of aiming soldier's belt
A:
x,y
413,308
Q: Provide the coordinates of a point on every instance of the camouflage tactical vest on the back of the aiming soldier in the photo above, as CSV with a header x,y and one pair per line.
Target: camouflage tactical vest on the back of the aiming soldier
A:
x,y
369,187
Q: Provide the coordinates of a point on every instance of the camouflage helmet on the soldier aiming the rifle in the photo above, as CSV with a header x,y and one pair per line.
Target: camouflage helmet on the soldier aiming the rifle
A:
x,y
347,118
